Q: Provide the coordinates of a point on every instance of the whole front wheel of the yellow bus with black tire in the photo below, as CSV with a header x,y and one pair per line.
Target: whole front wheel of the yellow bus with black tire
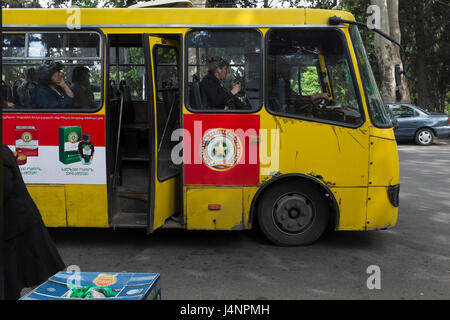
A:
x,y
293,213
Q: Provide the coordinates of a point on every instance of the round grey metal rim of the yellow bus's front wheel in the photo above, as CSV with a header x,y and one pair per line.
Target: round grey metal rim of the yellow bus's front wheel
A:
x,y
293,213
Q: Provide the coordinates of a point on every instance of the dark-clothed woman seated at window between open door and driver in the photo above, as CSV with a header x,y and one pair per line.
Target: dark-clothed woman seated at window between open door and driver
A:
x,y
214,95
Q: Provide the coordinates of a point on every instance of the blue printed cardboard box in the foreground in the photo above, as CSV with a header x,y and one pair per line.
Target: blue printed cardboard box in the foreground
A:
x,y
130,286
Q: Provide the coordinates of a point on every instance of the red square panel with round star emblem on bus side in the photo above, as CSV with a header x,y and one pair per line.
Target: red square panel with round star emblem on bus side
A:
x,y
221,149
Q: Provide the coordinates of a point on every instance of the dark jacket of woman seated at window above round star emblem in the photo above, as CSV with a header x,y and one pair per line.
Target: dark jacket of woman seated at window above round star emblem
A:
x,y
214,95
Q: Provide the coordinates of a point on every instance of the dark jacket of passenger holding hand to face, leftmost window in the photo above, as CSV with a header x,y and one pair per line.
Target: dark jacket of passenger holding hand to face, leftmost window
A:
x,y
45,98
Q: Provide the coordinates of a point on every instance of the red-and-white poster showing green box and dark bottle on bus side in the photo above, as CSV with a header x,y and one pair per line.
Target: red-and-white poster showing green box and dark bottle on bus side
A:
x,y
58,149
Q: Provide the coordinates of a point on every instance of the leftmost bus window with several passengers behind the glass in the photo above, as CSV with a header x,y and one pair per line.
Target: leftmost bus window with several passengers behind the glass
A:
x,y
32,74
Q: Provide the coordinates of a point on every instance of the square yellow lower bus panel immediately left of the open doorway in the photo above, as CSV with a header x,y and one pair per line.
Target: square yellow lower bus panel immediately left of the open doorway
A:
x,y
86,206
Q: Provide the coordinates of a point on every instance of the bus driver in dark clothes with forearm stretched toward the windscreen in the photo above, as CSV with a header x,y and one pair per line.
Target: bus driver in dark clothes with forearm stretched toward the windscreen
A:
x,y
288,97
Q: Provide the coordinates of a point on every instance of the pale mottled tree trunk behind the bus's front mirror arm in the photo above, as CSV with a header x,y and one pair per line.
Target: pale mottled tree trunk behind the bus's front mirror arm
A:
x,y
388,53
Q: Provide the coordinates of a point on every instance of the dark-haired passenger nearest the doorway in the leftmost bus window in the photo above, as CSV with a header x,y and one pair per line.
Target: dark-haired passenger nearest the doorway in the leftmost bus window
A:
x,y
81,88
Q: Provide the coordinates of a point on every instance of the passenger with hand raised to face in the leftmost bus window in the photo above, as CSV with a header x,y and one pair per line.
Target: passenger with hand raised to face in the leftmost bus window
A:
x,y
52,92
